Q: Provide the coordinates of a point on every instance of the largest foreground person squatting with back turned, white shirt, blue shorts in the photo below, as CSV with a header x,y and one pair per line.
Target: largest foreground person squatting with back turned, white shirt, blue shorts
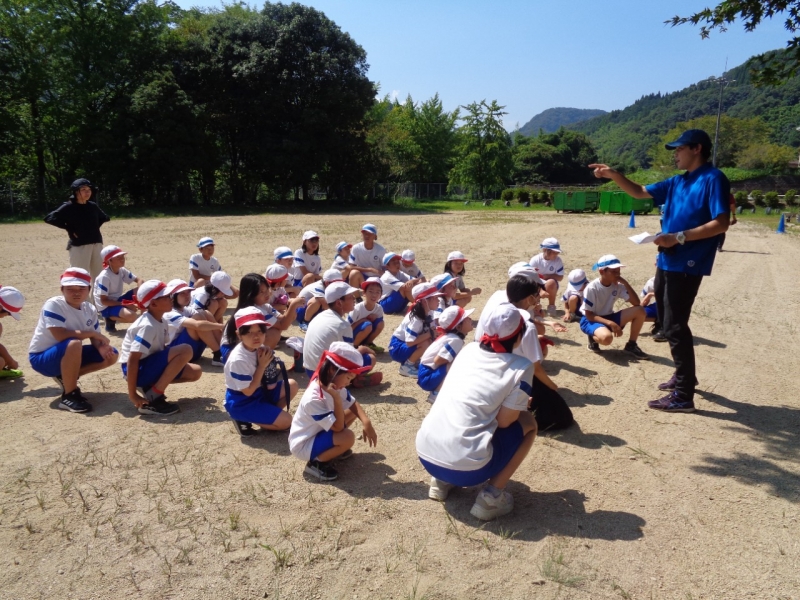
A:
x,y
479,429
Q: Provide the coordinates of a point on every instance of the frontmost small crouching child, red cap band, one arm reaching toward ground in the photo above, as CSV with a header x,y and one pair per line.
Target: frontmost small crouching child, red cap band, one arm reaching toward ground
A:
x,y
320,431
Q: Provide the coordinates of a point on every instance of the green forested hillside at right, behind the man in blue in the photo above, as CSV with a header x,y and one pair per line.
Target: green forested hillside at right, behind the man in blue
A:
x,y
624,137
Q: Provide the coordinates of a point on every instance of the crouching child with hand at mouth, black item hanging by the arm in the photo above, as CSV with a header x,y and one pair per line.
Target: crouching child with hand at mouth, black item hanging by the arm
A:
x,y
249,399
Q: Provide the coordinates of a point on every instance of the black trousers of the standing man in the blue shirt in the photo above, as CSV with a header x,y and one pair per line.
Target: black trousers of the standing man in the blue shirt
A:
x,y
675,294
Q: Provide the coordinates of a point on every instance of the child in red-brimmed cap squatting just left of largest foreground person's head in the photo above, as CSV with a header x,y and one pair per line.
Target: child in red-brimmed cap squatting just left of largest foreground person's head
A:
x,y
453,327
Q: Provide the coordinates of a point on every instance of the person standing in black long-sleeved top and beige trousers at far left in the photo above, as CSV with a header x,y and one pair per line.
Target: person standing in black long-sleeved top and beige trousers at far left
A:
x,y
82,219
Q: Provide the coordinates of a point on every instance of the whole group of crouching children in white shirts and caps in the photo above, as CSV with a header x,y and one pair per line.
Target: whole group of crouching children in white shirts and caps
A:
x,y
342,312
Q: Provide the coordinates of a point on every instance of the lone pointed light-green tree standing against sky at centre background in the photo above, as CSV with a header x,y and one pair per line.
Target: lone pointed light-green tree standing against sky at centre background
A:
x,y
483,156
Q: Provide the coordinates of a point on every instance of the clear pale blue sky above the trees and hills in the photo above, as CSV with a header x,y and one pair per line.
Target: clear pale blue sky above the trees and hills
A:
x,y
533,55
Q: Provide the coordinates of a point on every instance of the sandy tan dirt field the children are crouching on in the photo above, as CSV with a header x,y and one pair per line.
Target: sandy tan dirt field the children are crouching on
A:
x,y
629,503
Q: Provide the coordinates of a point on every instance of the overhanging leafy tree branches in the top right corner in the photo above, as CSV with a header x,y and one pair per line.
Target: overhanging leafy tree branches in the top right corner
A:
x,y
768,68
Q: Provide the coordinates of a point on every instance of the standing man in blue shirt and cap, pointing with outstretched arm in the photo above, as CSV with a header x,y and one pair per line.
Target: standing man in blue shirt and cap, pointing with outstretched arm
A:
x,y
695,214
